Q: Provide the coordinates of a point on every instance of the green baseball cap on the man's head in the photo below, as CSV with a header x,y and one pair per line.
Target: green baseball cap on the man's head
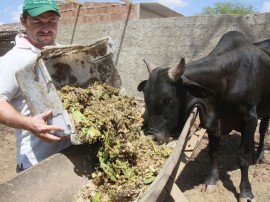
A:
x,y
37,7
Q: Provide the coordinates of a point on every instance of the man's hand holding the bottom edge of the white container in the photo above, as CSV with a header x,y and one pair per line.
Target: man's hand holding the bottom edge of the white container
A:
x,y
44,131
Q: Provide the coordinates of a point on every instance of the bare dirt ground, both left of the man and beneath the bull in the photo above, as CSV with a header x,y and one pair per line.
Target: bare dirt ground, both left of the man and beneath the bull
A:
x,y
190,181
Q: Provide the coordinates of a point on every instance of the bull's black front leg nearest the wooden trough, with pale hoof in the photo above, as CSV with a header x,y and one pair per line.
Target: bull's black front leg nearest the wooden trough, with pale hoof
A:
x,y
212,177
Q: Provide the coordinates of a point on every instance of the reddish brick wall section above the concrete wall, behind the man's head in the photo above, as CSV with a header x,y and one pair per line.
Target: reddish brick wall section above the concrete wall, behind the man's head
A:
x,y
96,12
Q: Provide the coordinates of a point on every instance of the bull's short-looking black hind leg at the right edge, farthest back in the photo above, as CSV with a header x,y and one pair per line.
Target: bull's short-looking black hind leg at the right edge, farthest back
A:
x,y
260,150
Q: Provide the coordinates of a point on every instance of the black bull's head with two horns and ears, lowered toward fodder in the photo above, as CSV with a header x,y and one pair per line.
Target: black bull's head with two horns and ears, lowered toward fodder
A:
x,y
165,95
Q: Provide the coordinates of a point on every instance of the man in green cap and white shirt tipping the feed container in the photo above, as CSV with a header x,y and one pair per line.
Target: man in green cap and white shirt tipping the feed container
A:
x,y
33,139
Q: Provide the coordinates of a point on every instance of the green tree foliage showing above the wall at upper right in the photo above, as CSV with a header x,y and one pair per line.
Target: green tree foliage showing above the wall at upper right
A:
x,y
227,8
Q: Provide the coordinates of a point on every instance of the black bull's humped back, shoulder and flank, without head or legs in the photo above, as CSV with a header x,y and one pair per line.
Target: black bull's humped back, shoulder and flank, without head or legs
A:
x,y
238,71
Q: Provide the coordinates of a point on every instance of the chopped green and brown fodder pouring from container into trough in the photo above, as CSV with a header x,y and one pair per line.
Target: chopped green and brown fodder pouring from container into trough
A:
x,y
128,161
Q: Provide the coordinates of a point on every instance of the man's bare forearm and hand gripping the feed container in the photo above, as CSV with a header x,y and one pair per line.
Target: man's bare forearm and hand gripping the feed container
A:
x,y
36,124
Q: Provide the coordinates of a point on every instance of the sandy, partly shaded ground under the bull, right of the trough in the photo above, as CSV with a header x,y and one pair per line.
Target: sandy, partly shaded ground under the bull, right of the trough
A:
x,y
193,176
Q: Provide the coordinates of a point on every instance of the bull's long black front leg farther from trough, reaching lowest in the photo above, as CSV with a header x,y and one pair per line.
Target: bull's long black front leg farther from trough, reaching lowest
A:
x,y
245,153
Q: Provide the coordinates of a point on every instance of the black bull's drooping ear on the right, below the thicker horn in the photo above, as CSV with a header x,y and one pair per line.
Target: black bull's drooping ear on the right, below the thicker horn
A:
x,y
197,90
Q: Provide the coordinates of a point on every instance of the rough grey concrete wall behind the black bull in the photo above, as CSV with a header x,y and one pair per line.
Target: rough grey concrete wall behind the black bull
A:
x,y
164,41
